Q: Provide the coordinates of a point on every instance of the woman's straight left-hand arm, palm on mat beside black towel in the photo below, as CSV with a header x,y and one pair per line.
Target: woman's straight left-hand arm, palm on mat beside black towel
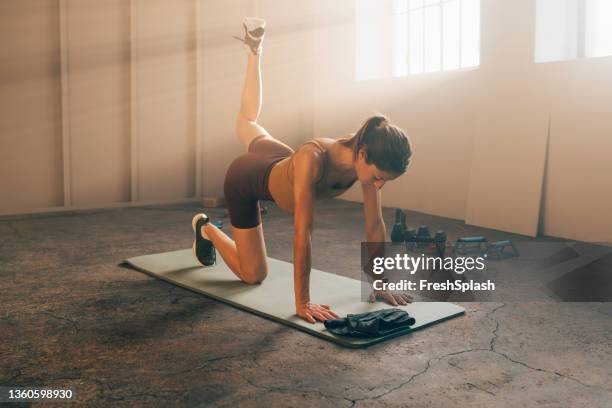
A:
x,y
306,171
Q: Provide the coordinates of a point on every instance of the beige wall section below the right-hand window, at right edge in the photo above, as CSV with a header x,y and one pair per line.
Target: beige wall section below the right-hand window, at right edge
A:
x,y
578,200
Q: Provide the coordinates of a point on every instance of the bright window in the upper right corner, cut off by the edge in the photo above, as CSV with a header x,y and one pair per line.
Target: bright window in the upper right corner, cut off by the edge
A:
x,y
570,29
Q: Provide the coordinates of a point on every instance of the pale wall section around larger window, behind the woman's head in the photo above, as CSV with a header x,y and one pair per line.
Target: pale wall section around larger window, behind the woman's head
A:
x,y
436,110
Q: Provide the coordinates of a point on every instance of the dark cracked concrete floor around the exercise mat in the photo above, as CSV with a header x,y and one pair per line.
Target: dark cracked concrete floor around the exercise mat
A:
x,y
71,317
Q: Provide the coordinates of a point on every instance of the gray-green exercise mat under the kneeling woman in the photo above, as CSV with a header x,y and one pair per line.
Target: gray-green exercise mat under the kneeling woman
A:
x,y
274,297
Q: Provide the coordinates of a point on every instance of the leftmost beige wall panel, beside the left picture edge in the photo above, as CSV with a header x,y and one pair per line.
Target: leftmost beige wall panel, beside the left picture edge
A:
x,y
30,106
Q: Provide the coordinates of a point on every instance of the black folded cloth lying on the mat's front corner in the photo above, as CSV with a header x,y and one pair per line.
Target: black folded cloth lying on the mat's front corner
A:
x,y
371,324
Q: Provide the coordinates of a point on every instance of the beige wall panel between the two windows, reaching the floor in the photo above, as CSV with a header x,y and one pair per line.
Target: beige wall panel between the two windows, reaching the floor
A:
x,y
511,127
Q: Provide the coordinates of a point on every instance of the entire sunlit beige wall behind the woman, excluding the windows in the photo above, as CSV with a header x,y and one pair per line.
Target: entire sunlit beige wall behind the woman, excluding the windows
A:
x,y
106,103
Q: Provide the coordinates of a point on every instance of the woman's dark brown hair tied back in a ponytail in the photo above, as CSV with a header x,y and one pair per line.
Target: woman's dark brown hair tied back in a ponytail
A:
x,y
386,145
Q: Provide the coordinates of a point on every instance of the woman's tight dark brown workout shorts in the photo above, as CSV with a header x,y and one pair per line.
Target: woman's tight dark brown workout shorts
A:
x,y
246,180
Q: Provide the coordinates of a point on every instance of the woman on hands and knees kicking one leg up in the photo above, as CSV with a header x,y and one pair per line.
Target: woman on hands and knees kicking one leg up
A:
x,y
320,168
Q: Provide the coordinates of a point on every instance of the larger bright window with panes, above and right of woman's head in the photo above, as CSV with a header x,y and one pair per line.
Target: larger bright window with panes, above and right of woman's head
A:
x,y
420,36
